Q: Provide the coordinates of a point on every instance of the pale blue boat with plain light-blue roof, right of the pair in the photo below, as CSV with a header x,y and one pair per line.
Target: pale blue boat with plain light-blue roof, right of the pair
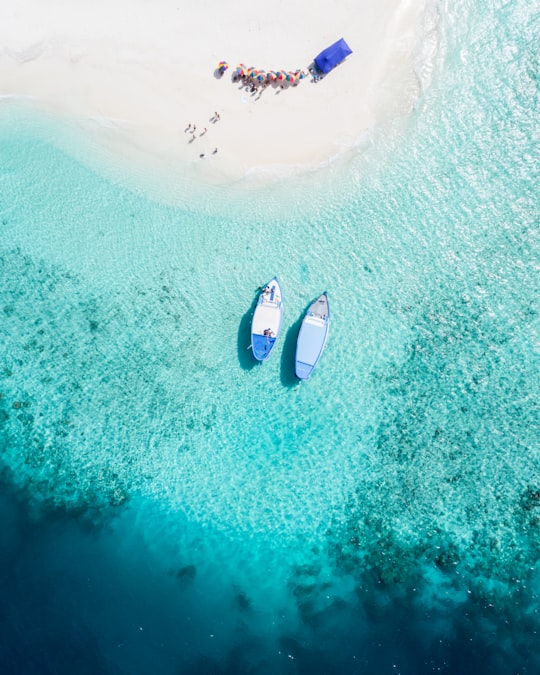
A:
x,y
312,337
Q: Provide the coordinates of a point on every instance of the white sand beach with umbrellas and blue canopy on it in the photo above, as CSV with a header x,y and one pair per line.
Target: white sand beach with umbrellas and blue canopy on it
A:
x,y
134,74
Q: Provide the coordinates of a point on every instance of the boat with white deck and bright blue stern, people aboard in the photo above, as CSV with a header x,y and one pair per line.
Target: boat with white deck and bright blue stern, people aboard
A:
x,y
266,322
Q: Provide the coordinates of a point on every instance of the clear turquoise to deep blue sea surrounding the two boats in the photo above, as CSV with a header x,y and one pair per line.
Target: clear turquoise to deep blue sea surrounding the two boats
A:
x,y
170,506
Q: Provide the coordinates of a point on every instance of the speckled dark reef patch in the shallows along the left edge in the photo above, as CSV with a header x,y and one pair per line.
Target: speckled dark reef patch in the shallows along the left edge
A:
x,y
81,393
